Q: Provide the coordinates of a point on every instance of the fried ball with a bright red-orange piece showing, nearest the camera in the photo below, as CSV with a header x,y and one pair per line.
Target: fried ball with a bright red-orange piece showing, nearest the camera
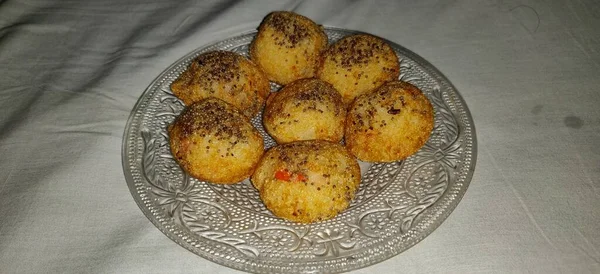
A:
x,y
307,181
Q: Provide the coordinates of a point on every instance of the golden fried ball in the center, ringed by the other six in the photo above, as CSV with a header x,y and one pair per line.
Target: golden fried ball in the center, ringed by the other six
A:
x,y
305,109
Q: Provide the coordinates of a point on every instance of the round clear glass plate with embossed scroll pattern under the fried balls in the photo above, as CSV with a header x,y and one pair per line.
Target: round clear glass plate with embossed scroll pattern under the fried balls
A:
x,y
398,204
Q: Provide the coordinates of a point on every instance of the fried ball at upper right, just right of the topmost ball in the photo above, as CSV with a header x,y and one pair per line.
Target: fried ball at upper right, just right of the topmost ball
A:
x,y
358,64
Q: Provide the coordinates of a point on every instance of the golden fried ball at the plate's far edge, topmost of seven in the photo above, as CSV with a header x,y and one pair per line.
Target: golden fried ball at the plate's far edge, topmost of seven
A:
x,y
287,46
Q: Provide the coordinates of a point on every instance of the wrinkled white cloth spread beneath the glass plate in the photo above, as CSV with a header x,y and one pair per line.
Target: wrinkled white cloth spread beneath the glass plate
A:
x,y
71,71
